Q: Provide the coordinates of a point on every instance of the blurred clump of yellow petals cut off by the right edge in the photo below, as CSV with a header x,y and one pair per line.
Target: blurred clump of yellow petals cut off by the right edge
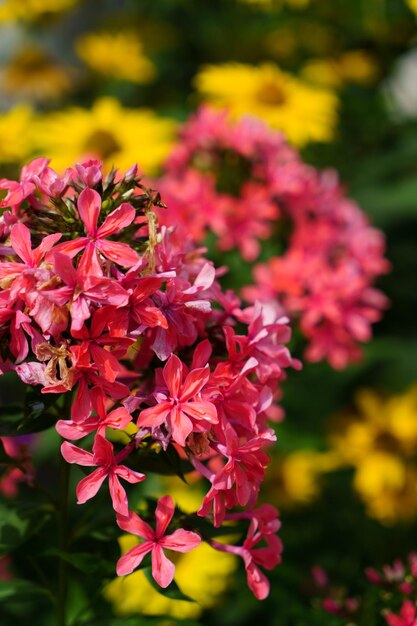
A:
x,y
381,443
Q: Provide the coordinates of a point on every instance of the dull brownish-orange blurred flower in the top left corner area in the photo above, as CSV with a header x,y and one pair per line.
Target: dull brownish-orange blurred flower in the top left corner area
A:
x,y
31,73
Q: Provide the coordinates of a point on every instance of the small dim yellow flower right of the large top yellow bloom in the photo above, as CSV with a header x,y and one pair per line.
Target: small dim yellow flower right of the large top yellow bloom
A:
x,y
355,66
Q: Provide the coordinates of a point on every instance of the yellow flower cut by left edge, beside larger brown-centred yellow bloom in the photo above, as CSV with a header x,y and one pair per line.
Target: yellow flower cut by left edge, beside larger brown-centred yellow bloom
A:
x,y
16,141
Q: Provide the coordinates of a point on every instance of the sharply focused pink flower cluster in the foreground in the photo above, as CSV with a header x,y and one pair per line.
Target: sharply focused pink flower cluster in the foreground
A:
x,y
133,328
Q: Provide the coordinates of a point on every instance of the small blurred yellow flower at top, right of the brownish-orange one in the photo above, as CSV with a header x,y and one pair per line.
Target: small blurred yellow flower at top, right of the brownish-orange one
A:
x,y
117,55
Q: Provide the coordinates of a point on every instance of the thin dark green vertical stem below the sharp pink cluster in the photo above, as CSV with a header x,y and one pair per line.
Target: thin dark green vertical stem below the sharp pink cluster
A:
x,y
64,476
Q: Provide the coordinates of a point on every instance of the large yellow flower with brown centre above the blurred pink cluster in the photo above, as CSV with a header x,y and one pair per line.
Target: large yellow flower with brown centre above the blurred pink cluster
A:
x,y
304,113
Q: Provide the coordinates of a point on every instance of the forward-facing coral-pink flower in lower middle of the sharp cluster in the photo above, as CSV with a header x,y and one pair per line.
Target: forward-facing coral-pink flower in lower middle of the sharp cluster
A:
x,y
178,408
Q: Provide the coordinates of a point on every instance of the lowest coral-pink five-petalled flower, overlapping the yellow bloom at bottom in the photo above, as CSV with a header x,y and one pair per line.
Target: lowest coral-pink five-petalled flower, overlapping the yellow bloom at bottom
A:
x,y
155,541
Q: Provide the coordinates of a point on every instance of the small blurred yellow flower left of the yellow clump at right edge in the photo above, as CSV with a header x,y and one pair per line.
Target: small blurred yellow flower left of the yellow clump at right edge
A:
x,y
297,478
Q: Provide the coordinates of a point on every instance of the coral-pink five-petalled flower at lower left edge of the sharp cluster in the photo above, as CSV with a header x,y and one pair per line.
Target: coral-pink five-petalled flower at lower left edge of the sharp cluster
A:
x,y
108,466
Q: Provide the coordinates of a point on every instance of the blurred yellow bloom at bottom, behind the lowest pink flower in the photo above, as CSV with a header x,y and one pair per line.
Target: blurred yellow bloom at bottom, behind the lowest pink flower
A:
x,y
203,574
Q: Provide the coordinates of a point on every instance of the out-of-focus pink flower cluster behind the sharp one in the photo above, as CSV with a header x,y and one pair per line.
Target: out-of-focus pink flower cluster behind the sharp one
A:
x,y
242,181
